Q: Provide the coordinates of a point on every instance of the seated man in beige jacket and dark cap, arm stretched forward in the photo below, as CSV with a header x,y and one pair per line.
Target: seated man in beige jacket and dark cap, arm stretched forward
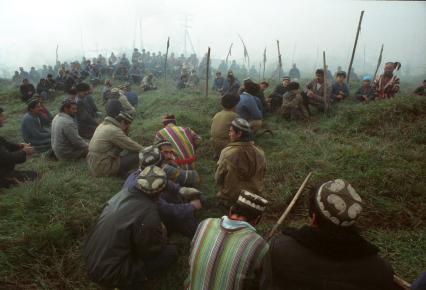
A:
x,y
110,139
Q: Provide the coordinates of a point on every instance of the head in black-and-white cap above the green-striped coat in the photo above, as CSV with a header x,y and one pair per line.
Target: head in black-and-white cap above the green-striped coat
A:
x,y
248,207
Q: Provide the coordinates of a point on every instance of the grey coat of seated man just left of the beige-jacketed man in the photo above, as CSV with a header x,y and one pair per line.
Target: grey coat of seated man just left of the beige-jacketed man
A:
x,y
66,142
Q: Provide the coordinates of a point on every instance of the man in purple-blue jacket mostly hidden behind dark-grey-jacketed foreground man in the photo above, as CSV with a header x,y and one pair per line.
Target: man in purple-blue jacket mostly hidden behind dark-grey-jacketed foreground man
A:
x,y
177,205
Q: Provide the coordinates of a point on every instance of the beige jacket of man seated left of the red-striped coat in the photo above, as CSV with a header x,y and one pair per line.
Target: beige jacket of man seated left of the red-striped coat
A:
x,y
105,147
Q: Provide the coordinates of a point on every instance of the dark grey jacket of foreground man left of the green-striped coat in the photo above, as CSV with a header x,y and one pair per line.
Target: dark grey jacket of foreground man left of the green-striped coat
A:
x,y
128,231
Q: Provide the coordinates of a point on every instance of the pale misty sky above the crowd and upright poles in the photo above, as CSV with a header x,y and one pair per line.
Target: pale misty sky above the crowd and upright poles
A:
x,y
30,30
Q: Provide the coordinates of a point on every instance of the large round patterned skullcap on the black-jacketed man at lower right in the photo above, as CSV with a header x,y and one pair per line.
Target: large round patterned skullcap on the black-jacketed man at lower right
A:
x,y
338,202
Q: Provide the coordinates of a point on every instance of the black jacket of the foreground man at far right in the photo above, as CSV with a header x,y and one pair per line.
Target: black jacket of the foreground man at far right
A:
x,y
309,258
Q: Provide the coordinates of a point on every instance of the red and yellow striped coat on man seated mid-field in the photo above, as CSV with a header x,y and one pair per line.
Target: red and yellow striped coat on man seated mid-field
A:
x,y
184,141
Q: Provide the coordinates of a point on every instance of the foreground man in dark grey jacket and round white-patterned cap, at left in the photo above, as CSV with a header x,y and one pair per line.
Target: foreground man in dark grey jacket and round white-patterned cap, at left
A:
x,y
128,245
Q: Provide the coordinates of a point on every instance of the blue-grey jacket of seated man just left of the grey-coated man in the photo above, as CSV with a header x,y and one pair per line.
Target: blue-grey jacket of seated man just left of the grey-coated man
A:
x,y
33,131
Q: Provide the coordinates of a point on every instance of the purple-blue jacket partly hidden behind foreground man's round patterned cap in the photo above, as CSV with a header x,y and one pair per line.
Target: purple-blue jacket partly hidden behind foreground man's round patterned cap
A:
x,y
167,209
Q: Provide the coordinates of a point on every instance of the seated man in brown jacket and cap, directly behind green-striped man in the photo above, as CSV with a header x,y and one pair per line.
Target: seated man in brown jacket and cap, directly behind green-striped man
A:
x,y
241,164
